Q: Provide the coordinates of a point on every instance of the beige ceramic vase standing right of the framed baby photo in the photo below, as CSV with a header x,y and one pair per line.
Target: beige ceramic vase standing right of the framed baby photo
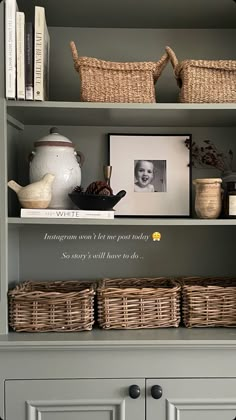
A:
x,y
208,200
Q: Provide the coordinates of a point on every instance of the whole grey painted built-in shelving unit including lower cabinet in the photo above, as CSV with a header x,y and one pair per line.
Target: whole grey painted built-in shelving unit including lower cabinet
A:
x,y
49,375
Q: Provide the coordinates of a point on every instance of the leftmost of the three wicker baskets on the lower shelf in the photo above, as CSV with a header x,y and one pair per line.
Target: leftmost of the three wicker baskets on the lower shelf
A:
x,y
52,306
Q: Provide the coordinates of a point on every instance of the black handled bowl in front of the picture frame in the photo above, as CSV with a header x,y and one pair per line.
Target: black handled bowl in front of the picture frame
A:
x,y
86,201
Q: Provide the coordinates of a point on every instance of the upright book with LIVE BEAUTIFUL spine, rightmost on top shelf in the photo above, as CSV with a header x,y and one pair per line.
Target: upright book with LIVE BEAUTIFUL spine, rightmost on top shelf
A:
x,y
39,40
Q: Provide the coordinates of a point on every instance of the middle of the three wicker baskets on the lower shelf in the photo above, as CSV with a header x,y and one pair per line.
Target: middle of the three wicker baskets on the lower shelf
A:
x,y
134,303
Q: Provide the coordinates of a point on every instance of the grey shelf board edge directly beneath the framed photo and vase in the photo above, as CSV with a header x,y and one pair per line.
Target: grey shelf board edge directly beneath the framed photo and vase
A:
x,y
122,221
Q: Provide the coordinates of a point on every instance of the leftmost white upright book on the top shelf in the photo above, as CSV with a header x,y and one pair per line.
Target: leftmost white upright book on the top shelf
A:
x,y
10,48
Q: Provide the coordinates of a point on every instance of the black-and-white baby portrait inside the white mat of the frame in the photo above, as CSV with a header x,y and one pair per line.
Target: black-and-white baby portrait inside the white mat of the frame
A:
x,y
149,175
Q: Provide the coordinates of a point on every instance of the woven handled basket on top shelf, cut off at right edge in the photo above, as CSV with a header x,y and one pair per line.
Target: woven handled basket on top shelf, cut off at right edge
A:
x,y
204,81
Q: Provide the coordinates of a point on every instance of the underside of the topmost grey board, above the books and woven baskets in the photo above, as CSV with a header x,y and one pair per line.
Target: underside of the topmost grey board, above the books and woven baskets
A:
x,y
135,13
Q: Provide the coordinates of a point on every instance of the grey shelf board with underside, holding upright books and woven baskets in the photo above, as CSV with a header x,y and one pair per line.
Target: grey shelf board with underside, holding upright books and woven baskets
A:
x,y
133,115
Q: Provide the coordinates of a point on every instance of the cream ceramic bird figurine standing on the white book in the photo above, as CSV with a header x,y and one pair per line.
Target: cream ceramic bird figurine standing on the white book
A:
x,y
36,195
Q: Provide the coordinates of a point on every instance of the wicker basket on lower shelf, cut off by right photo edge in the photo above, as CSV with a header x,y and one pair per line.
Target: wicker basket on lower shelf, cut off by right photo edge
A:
x,y
209,302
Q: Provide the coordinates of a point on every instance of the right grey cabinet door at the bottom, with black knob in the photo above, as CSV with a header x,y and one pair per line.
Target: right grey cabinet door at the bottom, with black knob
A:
x,y
192,399
